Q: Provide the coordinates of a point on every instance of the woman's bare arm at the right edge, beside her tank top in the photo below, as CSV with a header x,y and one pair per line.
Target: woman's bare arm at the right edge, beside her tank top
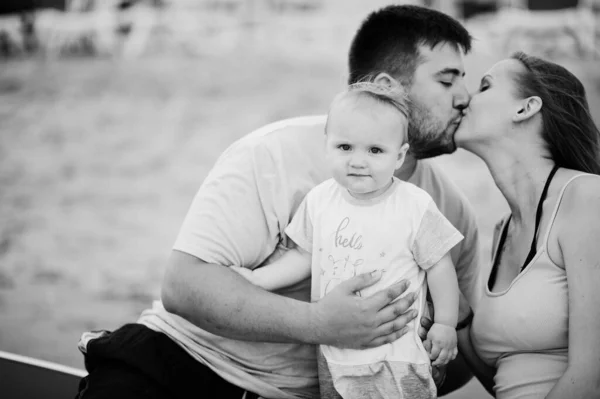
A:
x,y
578,234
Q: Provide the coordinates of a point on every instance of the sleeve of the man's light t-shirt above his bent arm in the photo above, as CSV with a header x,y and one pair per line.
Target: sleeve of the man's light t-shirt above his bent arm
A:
x,y
231,219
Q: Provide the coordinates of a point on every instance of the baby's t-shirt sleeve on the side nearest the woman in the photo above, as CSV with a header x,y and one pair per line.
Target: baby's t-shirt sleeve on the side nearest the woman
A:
x,y
435,236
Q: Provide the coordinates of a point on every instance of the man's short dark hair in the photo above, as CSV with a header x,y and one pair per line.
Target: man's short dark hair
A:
x,y
388,41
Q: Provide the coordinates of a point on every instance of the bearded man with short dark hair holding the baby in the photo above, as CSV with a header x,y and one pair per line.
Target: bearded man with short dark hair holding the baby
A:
x,y
216,332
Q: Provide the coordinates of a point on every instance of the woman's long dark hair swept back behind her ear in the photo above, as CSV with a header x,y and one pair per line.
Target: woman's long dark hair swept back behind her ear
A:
x,y
570,133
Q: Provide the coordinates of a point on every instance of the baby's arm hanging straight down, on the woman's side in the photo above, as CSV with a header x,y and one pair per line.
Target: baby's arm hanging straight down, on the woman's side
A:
x,y
443,287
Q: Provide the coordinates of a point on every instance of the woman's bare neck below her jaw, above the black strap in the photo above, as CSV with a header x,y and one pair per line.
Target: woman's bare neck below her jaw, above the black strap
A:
x,y
520,175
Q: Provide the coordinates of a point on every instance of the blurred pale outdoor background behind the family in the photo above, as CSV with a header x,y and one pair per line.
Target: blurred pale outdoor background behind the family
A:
x,y
112,113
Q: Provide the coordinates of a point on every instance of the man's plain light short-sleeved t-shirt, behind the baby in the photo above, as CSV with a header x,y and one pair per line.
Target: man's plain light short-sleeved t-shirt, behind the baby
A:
x,y
238,217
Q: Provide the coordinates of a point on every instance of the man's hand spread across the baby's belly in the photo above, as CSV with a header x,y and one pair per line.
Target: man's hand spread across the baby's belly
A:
x,y
346,320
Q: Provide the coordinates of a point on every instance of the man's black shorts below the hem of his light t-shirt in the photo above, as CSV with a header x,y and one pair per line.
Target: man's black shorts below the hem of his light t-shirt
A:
x,y
137,362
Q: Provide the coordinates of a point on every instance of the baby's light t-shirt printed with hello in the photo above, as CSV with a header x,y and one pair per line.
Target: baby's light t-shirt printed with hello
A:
x,y
401,232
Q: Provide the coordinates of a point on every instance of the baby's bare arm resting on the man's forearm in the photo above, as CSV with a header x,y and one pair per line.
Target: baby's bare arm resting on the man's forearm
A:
x,y
293,267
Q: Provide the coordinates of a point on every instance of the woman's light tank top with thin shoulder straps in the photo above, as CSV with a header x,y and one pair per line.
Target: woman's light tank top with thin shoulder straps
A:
x,y
523,330
